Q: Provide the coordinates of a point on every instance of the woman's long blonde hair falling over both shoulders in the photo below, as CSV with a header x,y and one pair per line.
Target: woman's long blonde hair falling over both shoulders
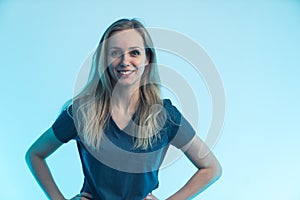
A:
x,y
91,107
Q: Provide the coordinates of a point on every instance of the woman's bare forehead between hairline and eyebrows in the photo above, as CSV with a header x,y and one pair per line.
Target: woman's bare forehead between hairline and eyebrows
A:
x,y
125,39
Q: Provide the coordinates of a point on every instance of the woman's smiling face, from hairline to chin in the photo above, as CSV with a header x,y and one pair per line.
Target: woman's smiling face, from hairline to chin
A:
x,y
126,57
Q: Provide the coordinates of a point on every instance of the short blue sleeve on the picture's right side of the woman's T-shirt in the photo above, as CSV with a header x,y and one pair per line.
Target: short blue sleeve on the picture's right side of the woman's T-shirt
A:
x,y
180,130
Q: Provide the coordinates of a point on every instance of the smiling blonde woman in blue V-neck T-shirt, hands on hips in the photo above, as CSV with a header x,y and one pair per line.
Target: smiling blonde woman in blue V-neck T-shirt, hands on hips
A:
x,y
122,126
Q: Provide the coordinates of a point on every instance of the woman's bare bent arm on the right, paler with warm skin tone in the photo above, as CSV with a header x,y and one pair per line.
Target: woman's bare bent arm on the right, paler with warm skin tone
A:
x,y
209,169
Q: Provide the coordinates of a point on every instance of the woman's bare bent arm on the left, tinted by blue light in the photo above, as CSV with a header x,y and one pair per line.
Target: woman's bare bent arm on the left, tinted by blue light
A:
x,y
44,146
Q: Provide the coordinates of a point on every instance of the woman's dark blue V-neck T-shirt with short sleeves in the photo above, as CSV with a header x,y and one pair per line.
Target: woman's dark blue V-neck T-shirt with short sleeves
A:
x,y
117,170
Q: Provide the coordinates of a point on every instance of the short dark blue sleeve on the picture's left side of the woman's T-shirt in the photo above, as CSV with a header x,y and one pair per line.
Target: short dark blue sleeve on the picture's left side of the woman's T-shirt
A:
x,y
63,127
